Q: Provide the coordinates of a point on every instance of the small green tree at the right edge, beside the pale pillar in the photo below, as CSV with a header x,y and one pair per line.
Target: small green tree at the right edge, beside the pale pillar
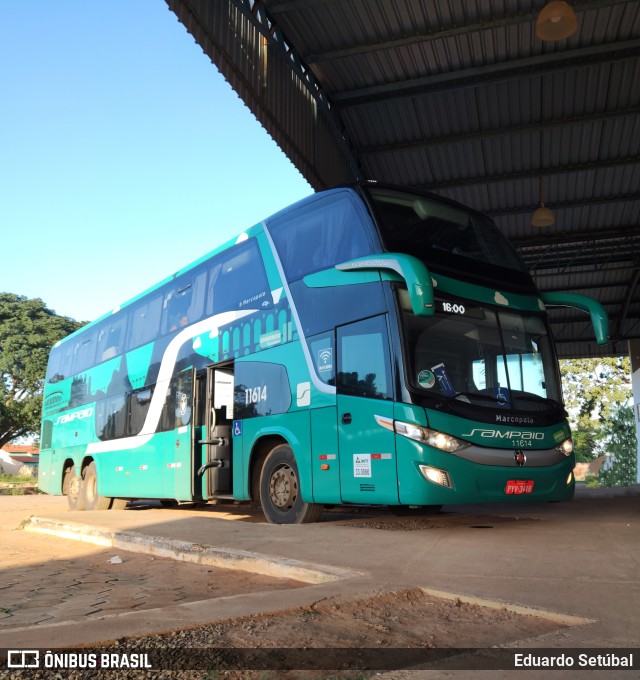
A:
x,y
621,445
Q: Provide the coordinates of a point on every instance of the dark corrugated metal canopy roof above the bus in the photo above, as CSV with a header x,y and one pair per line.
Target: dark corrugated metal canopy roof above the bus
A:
x,y
460,97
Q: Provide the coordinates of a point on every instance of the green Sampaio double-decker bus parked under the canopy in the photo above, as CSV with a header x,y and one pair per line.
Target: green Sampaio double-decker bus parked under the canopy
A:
x,y
367,345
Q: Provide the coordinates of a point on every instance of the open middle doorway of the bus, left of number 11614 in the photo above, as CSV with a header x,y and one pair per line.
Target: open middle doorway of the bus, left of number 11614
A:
x,y
213,441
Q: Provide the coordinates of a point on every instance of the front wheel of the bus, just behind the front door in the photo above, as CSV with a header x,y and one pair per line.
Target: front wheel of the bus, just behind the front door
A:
x,y
280,495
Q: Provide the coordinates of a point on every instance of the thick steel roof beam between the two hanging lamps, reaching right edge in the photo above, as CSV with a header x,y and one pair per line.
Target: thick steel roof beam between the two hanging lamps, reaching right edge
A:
x,y
475,76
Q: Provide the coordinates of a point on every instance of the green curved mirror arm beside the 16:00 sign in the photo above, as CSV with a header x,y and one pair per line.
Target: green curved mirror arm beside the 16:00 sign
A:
x,y
409,268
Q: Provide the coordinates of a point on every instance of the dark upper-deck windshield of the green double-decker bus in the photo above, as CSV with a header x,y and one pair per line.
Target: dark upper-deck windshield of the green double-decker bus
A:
x,y
447,237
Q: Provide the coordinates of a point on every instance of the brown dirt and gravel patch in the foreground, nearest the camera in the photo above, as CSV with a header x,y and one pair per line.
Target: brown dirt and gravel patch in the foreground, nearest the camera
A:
x,y
335,638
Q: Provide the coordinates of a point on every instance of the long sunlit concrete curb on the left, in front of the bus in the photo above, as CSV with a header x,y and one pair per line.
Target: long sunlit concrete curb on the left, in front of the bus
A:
x,y
195,553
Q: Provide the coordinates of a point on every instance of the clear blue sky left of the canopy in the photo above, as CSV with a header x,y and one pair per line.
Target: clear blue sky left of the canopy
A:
x,y
124,153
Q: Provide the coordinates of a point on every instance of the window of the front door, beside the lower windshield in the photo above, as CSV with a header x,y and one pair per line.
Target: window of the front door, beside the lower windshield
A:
x,y
363,359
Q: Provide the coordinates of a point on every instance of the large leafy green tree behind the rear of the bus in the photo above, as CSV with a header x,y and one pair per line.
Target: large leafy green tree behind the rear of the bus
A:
x,y
28,329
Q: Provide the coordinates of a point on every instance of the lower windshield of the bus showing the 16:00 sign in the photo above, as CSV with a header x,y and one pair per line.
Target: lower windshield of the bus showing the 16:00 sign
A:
x,y
472,354
